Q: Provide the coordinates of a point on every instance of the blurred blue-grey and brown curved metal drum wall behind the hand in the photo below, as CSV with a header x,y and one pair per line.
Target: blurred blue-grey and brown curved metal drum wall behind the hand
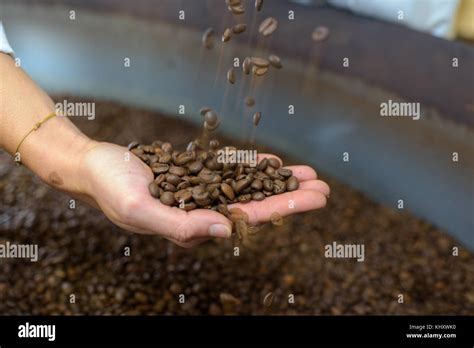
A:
x,y
336,108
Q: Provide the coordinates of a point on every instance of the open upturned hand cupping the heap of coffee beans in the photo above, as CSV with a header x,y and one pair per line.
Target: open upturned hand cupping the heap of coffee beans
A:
x,y
117,182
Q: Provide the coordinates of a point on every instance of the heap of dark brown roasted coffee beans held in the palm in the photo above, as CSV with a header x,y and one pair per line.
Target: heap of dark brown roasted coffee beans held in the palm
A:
x,y
195,178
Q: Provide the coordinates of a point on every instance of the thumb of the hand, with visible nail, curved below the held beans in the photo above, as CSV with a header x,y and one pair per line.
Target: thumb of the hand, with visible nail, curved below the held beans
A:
x,y
174,223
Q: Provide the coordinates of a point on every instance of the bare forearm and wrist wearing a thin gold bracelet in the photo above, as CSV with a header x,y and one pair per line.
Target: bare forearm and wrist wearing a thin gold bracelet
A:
x,y
55,150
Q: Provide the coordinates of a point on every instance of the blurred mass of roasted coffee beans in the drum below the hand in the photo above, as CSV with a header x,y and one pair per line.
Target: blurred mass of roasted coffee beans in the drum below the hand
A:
x,y
82,253
